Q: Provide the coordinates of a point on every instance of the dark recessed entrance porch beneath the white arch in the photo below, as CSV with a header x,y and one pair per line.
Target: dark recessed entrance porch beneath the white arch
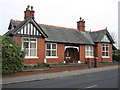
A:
x,y
71,55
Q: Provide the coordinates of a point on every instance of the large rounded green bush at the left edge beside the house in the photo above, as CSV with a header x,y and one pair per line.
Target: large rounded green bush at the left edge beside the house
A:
x,y
12,56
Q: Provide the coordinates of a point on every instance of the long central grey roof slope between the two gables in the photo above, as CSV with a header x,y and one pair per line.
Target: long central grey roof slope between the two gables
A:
x,y
66,35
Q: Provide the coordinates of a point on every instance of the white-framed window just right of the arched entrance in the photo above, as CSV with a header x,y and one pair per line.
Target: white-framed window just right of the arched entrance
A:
x,y
88,51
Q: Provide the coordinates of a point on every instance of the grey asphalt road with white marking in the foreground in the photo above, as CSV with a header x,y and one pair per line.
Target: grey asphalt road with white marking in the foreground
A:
x,y
103,79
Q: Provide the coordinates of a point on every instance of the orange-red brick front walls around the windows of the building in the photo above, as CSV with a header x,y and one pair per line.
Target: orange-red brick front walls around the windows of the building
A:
x,y
61,53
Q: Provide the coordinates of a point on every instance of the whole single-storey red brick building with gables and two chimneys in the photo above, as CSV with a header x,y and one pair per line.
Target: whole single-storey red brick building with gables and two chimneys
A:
x,y
53,44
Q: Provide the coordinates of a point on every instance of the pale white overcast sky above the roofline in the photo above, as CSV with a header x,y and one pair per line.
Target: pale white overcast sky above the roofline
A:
x,y
98,14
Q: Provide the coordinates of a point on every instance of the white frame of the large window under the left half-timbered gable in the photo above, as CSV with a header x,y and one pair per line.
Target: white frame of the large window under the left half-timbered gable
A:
x,y
27,57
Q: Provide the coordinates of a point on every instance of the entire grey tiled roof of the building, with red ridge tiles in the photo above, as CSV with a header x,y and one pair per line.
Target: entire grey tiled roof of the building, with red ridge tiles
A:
x,y
65,35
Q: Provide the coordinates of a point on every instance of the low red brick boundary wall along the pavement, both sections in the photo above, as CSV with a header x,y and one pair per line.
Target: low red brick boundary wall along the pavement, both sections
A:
x,y
56,69
